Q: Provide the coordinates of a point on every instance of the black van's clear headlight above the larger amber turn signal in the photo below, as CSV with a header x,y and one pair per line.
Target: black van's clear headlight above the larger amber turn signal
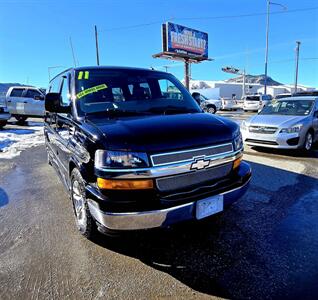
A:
x,y
120,159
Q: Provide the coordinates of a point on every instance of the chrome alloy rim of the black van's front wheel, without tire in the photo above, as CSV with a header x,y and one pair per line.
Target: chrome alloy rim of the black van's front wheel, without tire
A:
x,y
79,205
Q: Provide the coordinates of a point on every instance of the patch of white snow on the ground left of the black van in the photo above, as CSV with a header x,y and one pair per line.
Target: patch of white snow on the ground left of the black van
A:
x,y
14,140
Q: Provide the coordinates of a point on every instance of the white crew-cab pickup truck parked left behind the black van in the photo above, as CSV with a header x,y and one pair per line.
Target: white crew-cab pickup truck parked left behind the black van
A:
x,y
23,102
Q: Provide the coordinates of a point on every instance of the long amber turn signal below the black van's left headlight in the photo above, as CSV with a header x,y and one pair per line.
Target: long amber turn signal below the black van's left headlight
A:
x,y
116,184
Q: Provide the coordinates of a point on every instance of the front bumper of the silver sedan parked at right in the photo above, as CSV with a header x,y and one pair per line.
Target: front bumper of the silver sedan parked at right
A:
x,y
276,141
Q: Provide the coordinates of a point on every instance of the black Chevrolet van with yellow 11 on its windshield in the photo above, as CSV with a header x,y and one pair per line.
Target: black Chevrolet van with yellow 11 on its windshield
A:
x,y
131,157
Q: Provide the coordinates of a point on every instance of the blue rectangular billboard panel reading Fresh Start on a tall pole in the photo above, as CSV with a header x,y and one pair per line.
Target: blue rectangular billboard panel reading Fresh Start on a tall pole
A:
x,y
185,41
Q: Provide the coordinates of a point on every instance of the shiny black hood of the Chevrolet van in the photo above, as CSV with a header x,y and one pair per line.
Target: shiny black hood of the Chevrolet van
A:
x,y
164,132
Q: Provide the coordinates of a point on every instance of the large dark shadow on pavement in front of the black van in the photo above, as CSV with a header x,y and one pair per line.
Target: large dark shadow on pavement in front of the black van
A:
x,y
264,246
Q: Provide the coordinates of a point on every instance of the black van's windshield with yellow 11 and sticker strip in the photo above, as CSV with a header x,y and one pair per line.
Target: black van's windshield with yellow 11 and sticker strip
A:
x,y
131,91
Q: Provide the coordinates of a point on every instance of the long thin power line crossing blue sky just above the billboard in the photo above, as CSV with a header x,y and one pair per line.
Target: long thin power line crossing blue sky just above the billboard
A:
x,y
211,18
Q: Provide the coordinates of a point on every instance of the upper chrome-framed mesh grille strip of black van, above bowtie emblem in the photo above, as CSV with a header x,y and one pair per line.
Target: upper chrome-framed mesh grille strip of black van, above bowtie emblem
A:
x,y
188,155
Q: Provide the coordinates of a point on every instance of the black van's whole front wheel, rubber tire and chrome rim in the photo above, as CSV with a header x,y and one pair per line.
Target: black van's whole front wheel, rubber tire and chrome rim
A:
x,y
83,218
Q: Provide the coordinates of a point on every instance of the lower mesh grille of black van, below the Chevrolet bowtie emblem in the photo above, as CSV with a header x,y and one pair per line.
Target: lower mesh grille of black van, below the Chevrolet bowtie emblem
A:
x,y
193,179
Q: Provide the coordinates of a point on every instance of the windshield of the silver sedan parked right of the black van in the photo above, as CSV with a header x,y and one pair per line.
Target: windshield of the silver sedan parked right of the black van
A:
x,y
288,107
